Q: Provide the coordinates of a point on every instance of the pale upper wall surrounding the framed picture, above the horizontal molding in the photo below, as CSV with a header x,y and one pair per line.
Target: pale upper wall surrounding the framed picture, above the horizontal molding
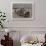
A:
x,y
40,14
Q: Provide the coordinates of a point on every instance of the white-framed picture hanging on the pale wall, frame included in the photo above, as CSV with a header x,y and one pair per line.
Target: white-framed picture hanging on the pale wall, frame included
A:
x,y
23,11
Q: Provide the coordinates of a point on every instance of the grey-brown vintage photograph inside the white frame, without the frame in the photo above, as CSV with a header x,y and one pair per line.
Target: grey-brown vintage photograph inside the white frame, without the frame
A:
x,y
21,10
